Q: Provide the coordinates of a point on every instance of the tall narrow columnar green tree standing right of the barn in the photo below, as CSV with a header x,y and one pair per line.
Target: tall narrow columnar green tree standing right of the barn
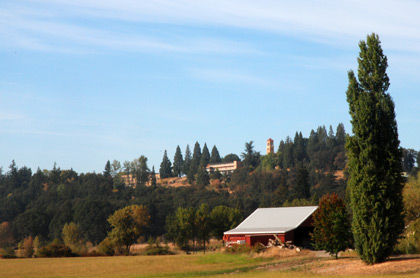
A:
x,y
375,182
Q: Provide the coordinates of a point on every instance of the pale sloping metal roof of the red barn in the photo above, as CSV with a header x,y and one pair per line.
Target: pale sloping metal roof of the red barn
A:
x,y
273,220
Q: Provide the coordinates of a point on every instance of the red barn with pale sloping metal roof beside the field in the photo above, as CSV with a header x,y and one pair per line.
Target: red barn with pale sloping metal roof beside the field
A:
x,y
287,223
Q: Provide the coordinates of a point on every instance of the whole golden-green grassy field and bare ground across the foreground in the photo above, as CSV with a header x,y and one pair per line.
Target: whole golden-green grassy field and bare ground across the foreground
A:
x,y
274,263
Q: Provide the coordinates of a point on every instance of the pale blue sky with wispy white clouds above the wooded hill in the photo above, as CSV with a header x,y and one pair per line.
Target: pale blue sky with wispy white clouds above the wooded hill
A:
x,y
86,81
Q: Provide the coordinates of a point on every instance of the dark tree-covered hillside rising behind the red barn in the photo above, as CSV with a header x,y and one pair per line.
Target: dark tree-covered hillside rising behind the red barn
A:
x,y
40,203
